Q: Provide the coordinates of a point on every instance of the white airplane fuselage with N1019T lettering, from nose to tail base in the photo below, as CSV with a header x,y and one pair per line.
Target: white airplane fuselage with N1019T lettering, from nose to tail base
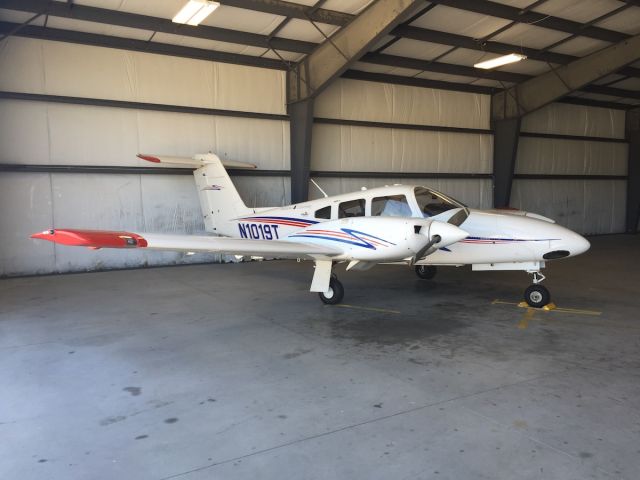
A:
x,y
497,239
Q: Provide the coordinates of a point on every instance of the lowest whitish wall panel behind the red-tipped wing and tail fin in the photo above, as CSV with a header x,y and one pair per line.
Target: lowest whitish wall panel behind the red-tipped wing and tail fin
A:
x,y
112,202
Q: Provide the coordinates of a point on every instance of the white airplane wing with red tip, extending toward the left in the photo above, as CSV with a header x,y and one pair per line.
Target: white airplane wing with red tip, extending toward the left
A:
x,y
96,239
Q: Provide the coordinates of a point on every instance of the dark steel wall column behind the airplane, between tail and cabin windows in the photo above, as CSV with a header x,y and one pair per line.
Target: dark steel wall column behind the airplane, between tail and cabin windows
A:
x,y
300,130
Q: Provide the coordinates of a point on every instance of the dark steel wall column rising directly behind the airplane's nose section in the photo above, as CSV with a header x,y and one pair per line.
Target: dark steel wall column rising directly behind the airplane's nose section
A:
x,y
506,133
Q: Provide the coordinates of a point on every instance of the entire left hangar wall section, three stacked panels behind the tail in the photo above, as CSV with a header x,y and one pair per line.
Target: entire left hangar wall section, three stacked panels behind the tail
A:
x,y
63,134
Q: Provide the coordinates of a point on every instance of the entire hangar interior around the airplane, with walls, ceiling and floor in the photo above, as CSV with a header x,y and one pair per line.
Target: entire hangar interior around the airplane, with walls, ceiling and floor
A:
x,y
411,385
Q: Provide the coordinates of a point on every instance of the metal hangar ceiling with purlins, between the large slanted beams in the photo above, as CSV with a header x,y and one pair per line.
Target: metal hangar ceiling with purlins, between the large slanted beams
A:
x,y
437,47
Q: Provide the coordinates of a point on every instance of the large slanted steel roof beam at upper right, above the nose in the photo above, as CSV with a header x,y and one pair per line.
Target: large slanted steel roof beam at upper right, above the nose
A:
x,y
539,91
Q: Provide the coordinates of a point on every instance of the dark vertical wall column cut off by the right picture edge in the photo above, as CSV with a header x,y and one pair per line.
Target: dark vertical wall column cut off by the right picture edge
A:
x,y
632,133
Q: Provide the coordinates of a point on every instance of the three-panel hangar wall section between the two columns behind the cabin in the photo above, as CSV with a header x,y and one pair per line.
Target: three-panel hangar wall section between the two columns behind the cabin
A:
x,y
346,148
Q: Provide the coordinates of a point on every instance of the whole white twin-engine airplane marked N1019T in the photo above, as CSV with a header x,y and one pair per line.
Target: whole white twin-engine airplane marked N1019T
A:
x,y
399,224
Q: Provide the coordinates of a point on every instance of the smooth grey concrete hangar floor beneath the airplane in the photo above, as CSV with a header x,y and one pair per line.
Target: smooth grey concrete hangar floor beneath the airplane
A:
x,y
237,372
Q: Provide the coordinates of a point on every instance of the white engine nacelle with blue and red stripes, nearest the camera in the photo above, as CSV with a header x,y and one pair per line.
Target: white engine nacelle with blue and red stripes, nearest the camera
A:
x,y
381,239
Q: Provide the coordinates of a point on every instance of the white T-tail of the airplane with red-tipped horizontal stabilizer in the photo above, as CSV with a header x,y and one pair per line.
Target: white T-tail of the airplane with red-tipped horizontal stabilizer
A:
x,y
219,199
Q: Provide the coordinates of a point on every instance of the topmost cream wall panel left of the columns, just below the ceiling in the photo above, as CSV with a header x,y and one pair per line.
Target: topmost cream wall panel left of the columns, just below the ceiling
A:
x,y
56,68
